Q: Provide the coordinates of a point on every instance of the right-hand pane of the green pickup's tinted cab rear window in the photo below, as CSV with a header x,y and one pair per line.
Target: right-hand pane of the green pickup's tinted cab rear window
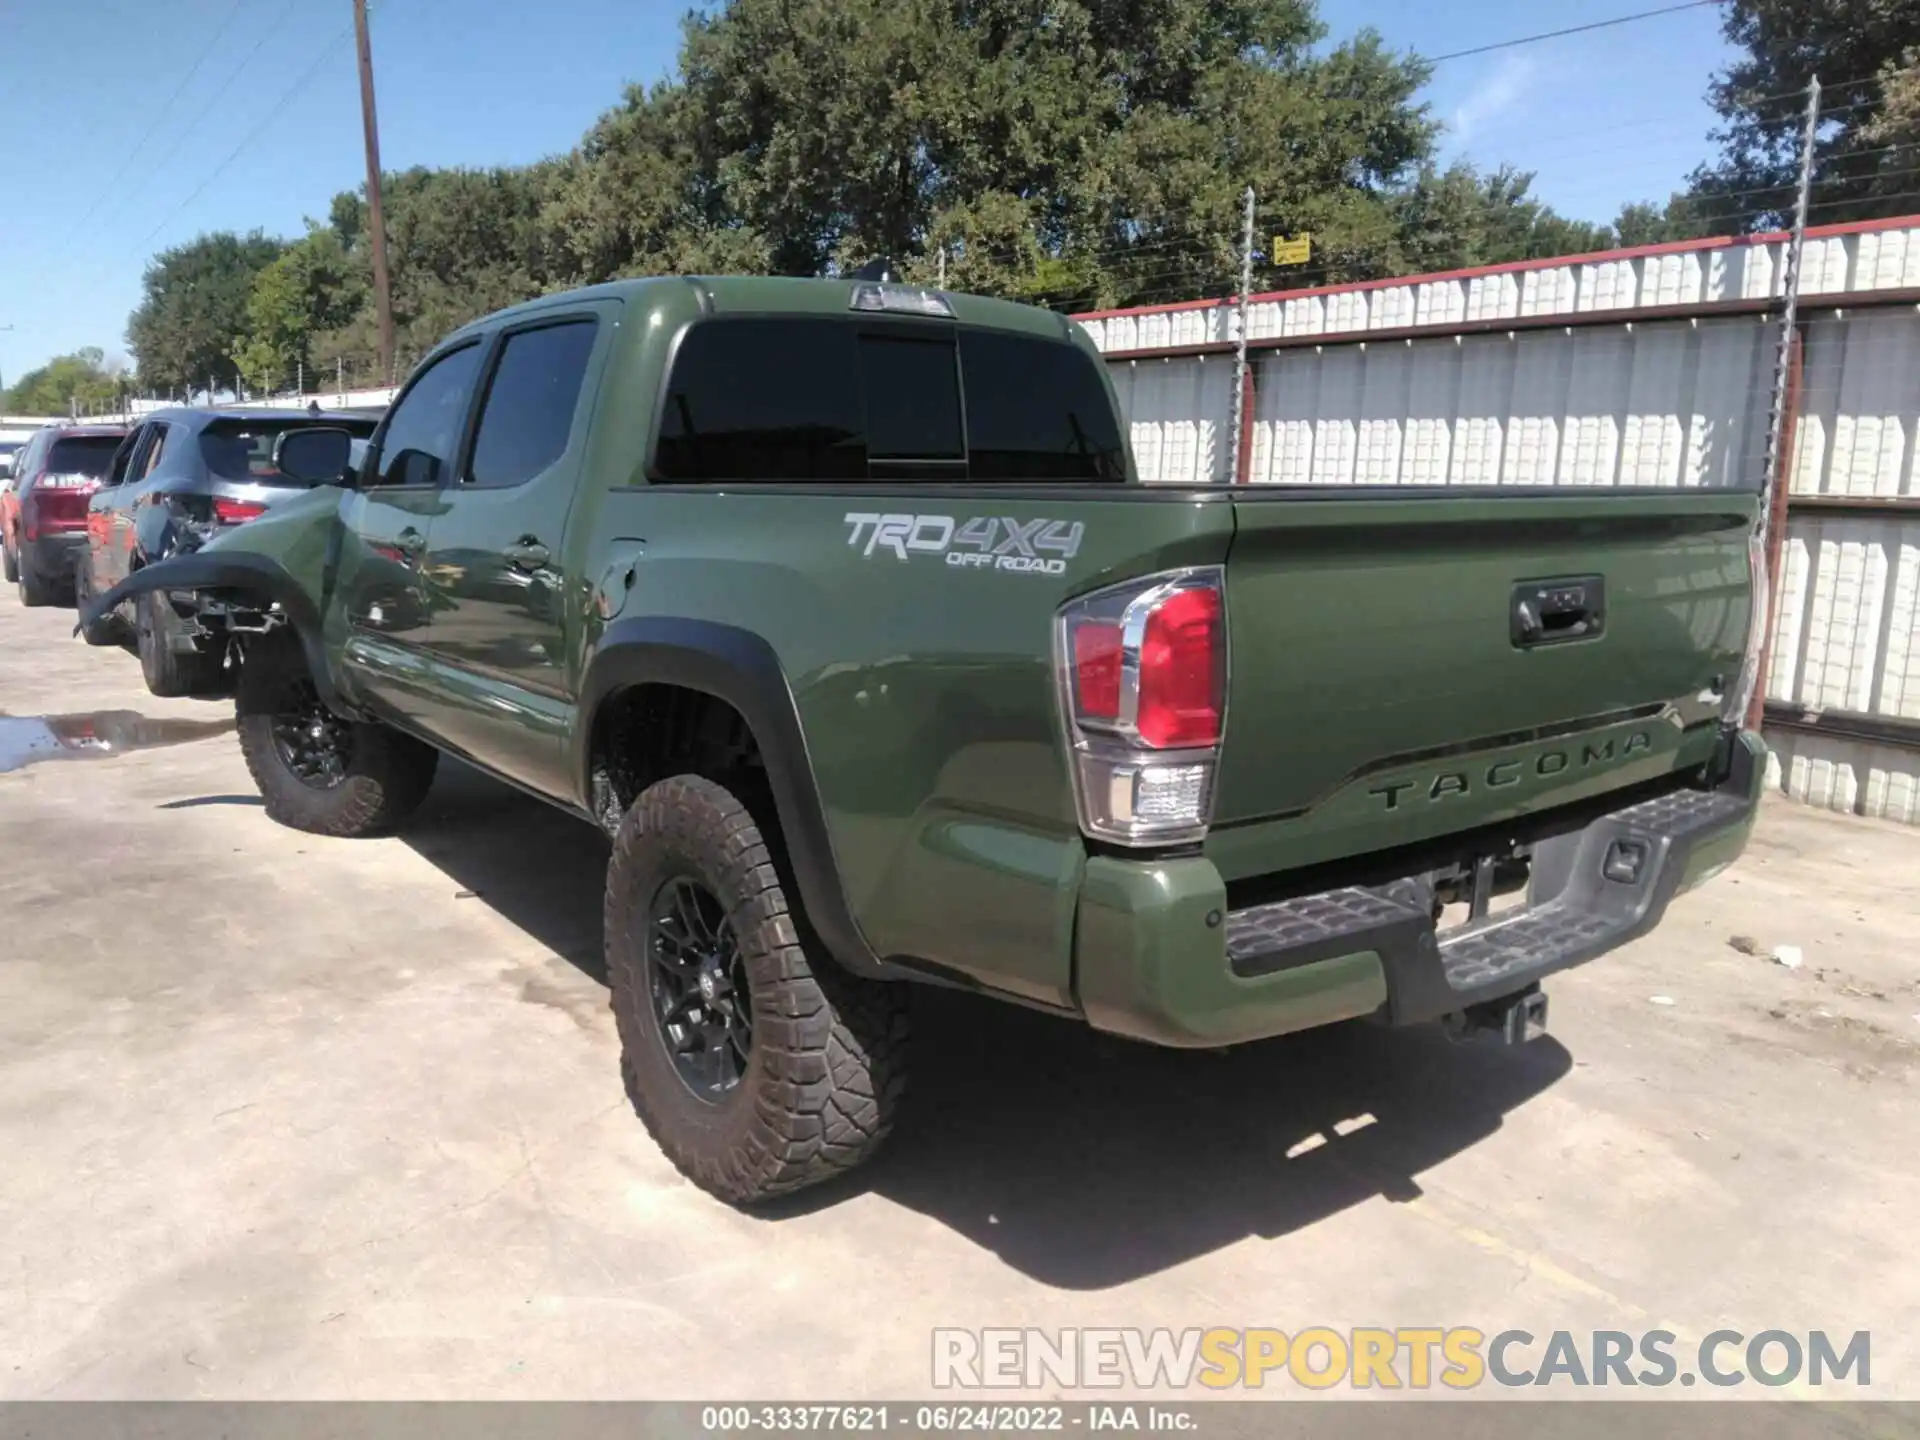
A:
x,y
1036,410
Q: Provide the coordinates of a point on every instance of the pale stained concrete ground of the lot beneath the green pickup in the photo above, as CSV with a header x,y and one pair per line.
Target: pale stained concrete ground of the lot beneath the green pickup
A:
x,y
285,1116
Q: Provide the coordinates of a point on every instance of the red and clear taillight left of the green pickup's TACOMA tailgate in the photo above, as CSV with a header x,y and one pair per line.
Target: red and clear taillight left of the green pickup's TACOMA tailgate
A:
x,y
1143,683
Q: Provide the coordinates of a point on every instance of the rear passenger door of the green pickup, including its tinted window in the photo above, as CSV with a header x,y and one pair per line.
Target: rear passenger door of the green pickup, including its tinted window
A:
x,y
496,571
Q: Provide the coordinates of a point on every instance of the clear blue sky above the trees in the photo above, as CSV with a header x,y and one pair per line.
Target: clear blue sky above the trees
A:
x,y
103,172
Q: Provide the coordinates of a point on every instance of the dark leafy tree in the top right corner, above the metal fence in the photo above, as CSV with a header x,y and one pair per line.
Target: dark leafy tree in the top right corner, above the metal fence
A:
x,y
1867,55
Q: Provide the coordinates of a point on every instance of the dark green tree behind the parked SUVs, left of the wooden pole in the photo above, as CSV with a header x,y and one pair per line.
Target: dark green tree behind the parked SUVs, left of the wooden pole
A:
x,y
193,316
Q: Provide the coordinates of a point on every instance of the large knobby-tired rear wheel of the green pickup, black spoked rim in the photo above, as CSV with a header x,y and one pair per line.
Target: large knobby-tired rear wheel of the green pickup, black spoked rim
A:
x,y
757,1067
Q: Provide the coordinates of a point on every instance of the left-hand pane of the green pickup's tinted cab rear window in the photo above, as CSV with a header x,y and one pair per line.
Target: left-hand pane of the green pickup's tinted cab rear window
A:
x,y
763,400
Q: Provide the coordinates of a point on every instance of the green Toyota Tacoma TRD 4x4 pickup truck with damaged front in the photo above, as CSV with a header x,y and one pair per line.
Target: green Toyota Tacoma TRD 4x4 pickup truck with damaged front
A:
x,y
840,608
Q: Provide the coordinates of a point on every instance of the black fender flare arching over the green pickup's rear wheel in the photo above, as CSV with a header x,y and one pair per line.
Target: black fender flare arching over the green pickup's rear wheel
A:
x,y
742,669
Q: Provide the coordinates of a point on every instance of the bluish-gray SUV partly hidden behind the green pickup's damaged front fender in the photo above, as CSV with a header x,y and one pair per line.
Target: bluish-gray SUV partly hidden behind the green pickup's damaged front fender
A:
x,y
180,479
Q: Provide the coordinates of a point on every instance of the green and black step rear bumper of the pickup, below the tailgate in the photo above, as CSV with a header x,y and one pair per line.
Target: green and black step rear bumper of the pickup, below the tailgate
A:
x,y
1163,959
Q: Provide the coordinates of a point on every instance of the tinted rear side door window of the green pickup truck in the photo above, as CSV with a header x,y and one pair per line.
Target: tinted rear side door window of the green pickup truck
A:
x,y
529,410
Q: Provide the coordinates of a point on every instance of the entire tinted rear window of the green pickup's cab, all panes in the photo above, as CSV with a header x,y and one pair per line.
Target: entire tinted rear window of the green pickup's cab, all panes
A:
x,y
796,398
